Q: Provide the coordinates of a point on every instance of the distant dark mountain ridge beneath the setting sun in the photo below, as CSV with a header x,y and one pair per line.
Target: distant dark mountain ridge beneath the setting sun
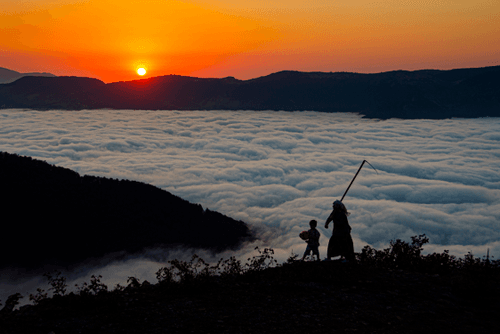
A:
x,y
403,94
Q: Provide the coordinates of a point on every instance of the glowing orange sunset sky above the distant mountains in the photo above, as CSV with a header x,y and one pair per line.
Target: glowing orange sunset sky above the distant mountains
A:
x,y
110,39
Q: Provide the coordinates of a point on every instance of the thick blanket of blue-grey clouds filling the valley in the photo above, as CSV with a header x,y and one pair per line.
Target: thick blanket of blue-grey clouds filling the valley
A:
x,y
278,170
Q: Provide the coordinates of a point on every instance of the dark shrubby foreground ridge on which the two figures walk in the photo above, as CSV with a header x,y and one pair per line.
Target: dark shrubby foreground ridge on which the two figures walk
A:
x,y
394,291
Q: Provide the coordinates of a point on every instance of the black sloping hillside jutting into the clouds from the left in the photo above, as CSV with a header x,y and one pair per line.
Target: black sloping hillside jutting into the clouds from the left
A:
x,y
53,216
